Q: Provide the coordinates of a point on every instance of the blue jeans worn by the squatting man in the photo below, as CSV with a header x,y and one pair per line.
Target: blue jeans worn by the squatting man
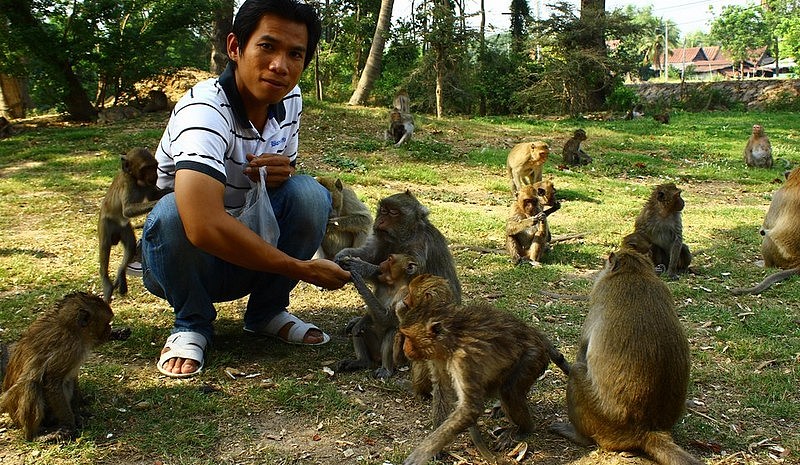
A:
x,y
192,280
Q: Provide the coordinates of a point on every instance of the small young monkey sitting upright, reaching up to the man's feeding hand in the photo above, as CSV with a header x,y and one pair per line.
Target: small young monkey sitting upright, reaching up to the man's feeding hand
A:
x,y
374,333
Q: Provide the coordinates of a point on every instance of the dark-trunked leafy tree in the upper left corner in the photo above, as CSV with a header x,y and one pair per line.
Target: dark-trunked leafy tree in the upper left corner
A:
x,y
79,48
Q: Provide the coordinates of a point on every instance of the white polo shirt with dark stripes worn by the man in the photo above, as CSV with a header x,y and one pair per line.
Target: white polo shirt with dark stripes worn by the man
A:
x,y
208,131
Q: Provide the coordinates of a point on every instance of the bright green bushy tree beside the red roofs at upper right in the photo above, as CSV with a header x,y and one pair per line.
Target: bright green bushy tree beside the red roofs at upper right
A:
x,y
740,30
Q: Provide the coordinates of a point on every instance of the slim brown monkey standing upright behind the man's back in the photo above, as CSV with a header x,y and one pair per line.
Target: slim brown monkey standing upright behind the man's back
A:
x,y
132,193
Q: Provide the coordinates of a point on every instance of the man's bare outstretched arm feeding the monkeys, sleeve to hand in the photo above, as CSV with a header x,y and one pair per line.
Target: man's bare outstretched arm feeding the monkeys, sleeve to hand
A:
x,y
199,198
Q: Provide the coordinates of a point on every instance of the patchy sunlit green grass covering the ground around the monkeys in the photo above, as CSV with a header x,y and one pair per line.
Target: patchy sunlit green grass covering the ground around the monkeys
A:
x,y
745,350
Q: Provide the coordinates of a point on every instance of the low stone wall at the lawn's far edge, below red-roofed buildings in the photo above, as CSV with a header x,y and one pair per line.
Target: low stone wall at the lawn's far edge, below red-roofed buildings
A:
x,y
754,93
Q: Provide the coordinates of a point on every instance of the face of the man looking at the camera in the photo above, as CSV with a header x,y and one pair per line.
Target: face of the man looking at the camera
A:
x,y
270,64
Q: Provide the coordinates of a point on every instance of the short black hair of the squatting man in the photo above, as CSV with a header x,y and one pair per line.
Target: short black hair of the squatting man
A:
x,y
251,11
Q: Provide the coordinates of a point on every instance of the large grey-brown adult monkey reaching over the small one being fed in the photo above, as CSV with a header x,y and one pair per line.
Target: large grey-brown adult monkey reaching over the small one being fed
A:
x,y
402,227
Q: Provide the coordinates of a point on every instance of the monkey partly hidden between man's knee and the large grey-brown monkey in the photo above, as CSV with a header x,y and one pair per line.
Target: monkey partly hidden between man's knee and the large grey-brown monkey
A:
x,y
350,220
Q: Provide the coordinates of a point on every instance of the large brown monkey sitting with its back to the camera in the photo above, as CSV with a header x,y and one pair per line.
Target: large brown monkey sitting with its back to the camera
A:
x,y
627,387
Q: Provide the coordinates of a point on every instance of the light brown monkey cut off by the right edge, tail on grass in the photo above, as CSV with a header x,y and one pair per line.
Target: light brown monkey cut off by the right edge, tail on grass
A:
x,y
780,244
